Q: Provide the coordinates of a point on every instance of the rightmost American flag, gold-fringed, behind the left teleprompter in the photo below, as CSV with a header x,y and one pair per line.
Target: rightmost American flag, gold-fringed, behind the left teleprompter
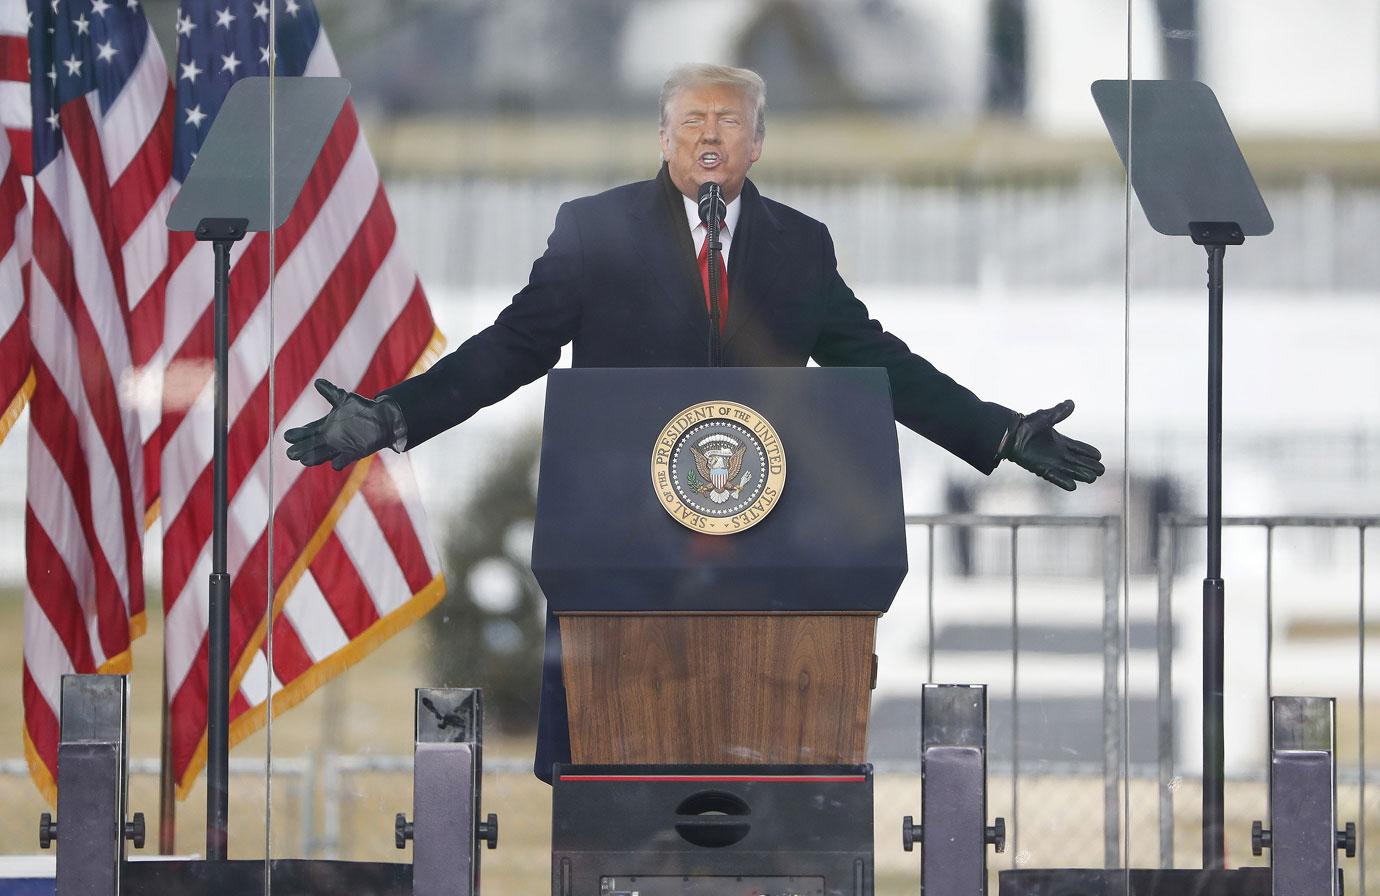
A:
x,y
353,561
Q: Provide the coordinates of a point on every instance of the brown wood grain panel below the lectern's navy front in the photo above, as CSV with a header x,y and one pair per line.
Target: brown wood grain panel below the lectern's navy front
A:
x,y
718,688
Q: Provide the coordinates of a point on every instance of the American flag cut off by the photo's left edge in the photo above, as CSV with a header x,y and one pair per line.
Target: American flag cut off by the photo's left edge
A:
x,y
16,161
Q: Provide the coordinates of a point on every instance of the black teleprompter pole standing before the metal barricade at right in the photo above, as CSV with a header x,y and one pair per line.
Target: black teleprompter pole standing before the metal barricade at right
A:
x,y
1215,238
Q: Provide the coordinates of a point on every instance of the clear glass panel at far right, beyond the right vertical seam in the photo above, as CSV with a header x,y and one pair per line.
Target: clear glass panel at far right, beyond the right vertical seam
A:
x,y
1298,89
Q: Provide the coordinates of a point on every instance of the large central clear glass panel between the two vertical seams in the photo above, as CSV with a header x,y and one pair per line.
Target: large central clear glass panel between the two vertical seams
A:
x,y
942,177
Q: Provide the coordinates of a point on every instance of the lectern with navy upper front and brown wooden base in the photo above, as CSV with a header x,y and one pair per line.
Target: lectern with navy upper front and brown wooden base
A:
x,y
753,648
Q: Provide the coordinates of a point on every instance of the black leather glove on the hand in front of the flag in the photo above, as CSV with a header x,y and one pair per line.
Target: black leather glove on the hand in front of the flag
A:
x,y
355,429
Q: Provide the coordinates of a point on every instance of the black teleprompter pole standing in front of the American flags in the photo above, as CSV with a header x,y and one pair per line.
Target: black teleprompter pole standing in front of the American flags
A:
x,y
223,234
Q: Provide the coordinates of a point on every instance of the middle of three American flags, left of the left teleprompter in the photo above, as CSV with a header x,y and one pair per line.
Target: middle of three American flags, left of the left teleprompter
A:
x,y
101,158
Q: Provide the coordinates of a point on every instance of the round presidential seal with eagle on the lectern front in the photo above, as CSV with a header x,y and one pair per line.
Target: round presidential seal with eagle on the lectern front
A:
x,y
718,467
